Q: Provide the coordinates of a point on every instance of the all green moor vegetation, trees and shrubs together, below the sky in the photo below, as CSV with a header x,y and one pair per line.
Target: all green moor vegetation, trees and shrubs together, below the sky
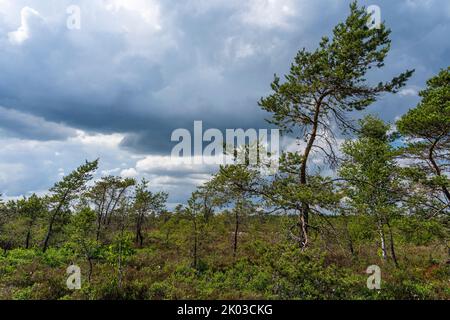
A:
x,y
307,231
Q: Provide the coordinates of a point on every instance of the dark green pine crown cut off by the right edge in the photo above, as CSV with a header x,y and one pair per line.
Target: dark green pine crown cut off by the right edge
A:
x,y
426,130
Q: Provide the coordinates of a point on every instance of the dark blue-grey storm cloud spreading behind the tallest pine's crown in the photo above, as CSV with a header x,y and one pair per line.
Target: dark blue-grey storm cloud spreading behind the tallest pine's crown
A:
x,y
216,72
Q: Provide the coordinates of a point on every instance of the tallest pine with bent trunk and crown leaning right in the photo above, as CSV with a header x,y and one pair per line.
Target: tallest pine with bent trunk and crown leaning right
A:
x,y
322,87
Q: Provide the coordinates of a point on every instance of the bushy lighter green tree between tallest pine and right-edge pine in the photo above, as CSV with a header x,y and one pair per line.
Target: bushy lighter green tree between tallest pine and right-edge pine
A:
x,y
372,180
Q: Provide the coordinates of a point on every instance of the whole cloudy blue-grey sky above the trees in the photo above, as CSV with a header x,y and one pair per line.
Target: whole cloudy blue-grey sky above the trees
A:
x,y
135,70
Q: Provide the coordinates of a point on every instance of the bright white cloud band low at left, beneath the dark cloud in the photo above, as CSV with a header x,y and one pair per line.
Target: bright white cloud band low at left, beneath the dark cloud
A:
x,y
27,165
